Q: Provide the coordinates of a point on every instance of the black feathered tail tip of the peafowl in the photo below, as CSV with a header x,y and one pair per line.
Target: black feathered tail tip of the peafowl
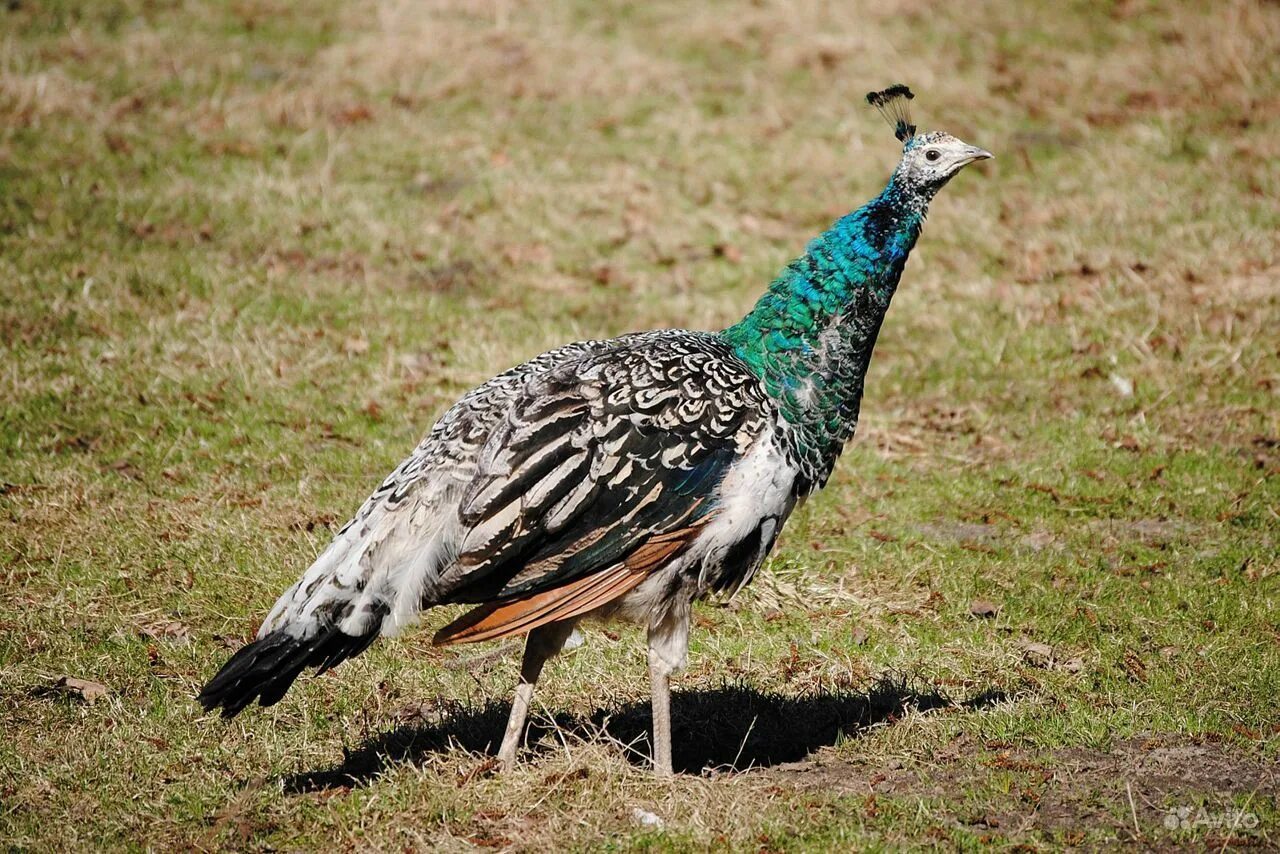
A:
x,y
266,669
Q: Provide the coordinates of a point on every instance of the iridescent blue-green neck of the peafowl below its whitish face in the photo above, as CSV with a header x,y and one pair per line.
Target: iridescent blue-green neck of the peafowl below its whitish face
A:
x,y
811,336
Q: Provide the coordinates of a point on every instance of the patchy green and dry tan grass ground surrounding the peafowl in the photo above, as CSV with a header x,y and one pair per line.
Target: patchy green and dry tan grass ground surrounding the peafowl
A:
x,y
250,250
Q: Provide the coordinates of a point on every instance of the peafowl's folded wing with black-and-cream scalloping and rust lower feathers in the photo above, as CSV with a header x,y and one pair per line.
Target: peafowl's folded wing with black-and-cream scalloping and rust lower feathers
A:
x,y
606,468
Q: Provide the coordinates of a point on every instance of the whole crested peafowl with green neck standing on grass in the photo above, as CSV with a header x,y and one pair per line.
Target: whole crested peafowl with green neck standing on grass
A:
x,y
618,479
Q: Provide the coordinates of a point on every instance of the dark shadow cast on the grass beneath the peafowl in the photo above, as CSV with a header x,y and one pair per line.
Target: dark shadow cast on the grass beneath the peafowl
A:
x,y
732,728
